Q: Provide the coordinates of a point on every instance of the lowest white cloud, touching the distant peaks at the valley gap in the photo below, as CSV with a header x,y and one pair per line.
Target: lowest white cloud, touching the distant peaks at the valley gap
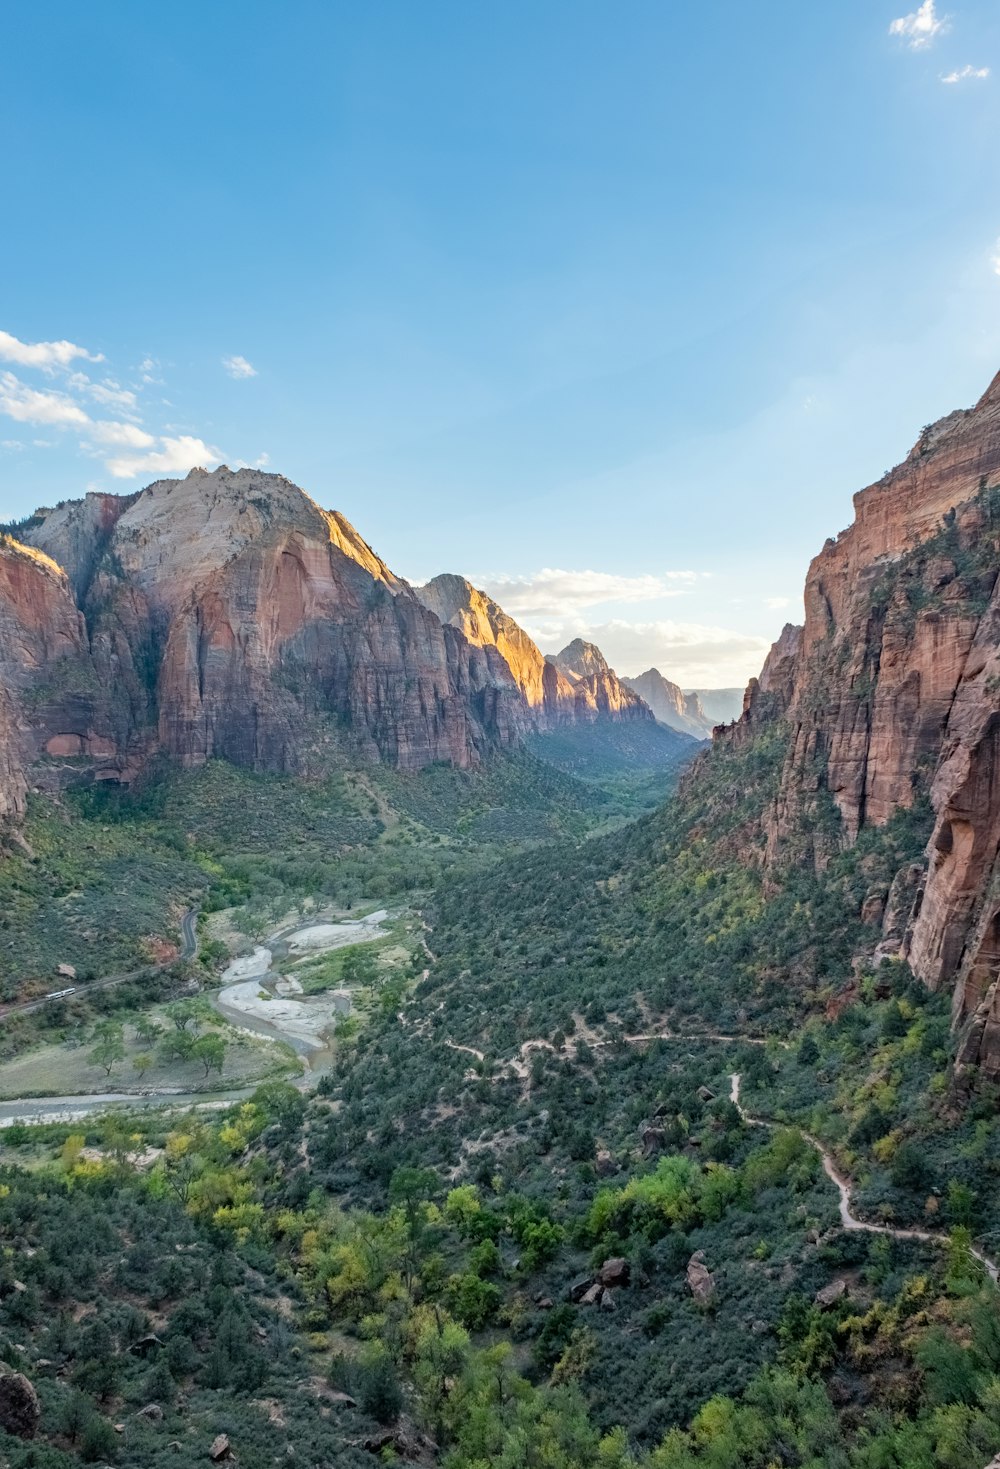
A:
x,y
692,654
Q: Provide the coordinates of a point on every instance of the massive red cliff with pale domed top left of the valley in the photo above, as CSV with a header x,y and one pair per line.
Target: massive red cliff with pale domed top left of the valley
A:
x,y
227,616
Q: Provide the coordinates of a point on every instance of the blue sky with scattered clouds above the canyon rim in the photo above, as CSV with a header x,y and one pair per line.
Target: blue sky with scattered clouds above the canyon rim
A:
x,y
607,306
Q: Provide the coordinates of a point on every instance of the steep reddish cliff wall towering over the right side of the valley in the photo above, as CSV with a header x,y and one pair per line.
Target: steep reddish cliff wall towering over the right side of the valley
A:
x,y
892,691
